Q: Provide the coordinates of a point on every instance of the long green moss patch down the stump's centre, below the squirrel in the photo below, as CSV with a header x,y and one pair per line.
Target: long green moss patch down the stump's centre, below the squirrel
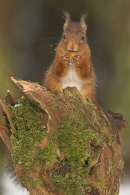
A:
x,y
74,137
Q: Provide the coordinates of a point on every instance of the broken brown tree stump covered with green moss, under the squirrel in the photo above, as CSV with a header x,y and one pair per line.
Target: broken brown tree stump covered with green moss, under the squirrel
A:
x,y
61,144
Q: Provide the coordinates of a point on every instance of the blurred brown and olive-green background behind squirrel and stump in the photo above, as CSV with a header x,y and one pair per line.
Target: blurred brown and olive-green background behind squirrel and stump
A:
x,y
29,33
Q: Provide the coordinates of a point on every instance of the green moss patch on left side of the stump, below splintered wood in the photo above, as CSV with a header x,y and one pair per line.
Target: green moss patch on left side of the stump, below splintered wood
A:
x,y
30,123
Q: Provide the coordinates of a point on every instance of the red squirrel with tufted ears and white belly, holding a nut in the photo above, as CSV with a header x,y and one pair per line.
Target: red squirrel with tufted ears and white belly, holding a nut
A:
x,y
72,66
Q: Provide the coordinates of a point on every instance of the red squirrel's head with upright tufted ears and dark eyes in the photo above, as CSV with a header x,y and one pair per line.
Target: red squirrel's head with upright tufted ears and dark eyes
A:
x,y
74,34
